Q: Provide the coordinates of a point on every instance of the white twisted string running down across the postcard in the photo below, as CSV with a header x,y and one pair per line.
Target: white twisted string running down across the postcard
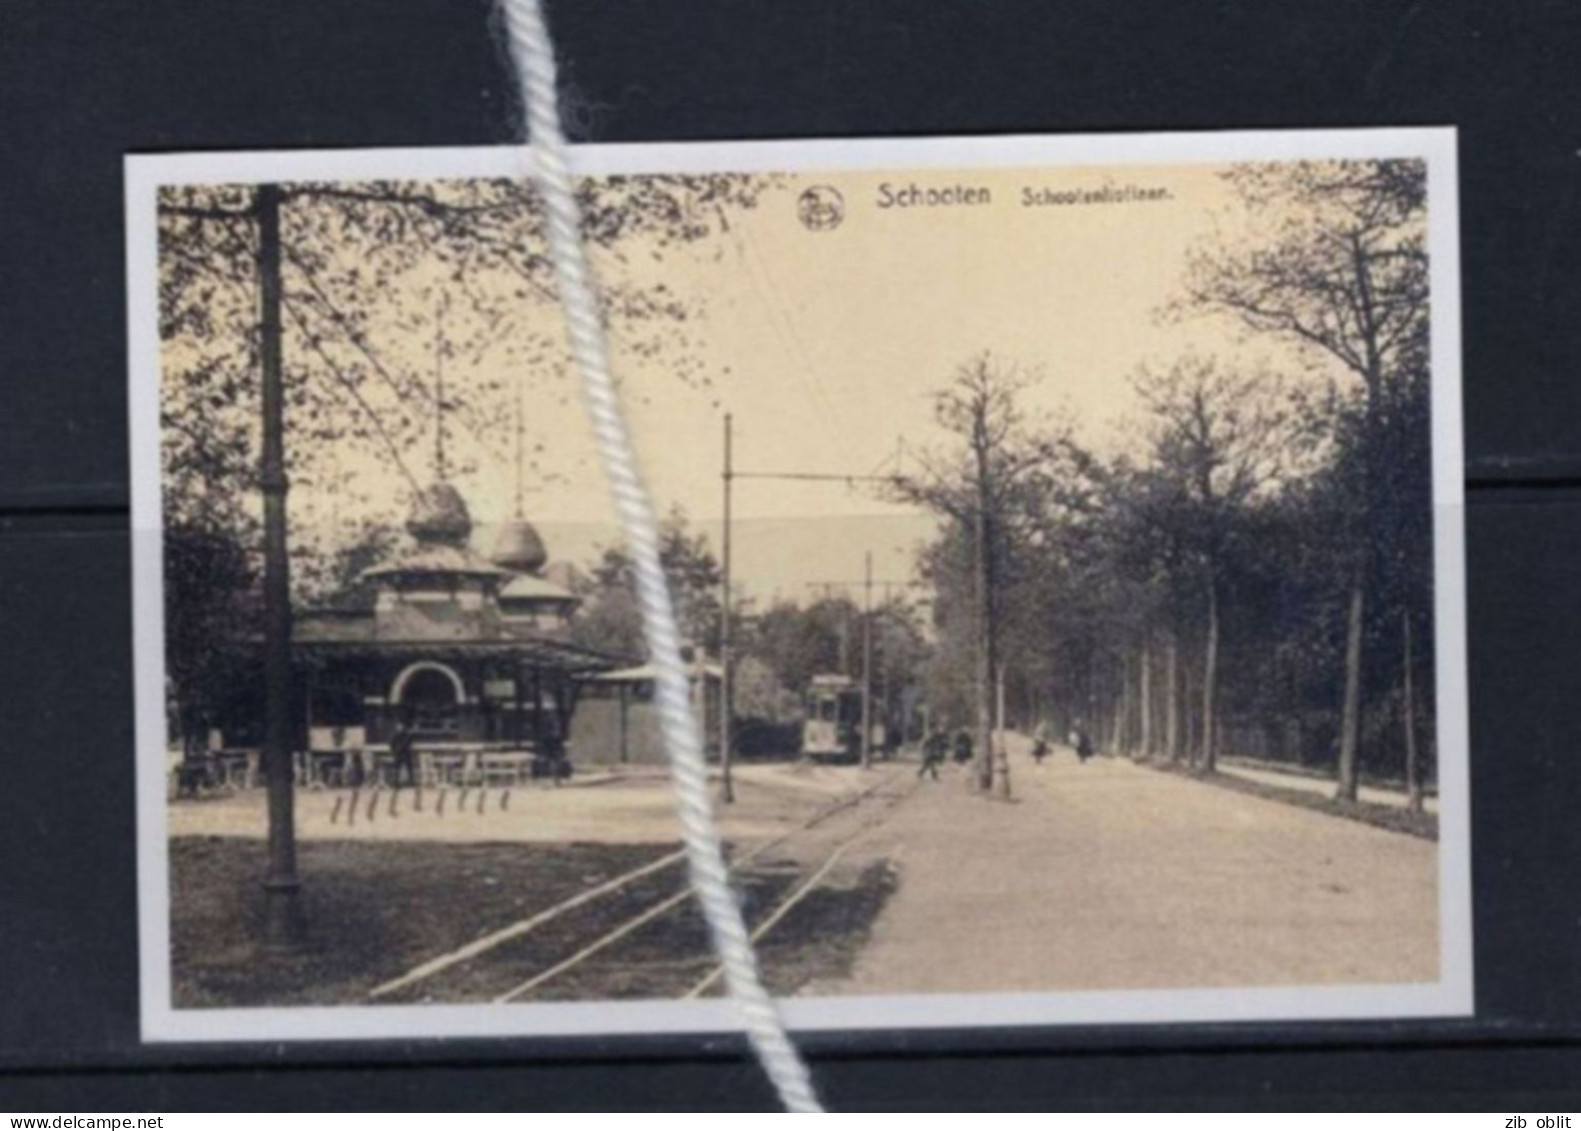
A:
x,y
535,66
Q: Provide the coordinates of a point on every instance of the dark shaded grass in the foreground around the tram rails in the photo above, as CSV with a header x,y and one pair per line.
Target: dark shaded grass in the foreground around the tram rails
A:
x,y
375,910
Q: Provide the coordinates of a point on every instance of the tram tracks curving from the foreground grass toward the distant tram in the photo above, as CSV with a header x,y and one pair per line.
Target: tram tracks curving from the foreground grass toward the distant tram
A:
x,y
565,942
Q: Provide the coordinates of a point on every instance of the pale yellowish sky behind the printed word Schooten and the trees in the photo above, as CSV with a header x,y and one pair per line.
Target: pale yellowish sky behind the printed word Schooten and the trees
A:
x,y
828,346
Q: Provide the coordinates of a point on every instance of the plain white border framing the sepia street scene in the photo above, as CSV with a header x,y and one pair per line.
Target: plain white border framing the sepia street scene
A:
x,y
1451,997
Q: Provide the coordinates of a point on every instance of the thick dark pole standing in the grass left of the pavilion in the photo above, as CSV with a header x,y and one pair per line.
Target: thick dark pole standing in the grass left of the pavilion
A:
x,y
282,918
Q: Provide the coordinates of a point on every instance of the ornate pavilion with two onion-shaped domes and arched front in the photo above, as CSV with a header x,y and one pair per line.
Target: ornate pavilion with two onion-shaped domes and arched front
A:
x,y
472,652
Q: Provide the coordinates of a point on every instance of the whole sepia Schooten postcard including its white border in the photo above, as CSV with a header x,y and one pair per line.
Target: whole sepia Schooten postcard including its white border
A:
x,y
1066,535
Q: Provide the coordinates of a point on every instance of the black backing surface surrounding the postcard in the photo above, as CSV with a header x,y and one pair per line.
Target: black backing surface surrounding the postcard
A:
x,y
85,83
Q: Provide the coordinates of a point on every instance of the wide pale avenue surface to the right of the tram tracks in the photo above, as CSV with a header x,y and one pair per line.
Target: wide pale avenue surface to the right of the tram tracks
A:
x,y
1112,877
